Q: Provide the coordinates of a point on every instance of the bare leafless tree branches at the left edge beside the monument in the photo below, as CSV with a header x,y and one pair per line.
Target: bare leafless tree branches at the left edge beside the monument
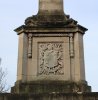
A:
x,y
3,85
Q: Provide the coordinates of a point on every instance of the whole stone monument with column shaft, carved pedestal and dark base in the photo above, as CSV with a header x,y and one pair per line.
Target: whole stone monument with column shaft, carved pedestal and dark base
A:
x,y
51,54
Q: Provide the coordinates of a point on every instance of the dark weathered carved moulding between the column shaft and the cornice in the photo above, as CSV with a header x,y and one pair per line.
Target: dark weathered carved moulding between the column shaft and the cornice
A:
x,y
50,21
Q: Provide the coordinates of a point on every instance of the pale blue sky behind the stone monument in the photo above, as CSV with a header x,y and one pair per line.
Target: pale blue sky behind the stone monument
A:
x,y
13,14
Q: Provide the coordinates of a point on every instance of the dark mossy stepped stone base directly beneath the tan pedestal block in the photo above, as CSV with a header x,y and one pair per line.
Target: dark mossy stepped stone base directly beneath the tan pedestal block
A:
x,y
48,86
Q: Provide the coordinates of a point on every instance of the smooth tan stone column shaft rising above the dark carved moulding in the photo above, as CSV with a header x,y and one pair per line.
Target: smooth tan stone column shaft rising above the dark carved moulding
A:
x,y
51,7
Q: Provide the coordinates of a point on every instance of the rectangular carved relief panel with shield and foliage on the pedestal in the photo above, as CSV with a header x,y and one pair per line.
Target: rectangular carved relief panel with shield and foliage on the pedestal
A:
x,y
50,58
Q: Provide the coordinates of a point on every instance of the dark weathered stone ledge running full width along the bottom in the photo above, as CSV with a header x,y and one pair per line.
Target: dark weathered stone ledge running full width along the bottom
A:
x,y
51,96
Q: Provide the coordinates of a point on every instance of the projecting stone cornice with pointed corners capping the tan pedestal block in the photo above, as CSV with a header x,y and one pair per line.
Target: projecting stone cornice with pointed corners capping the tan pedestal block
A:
x,y
49,30
